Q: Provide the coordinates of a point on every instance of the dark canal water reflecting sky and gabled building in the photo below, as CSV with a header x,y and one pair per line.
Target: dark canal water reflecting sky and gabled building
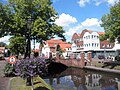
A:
x,y
77,79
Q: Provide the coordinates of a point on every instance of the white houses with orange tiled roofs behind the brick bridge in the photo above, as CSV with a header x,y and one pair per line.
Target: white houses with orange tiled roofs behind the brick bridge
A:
x,y
52,46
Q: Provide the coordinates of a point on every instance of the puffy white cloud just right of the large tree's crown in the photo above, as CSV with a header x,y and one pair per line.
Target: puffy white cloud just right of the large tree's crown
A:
x,y
65,20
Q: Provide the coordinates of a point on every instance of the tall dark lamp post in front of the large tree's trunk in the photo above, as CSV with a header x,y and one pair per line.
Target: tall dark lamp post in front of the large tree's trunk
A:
x,y
28,37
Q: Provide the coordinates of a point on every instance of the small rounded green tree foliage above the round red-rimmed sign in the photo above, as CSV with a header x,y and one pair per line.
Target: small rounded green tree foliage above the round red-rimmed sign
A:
x,y
17,45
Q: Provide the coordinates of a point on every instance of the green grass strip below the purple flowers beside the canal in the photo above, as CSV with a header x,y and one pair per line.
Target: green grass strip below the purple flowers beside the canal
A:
x,y
18,83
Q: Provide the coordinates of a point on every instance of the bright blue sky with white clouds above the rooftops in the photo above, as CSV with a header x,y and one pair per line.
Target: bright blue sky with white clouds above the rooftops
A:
x,y
77,15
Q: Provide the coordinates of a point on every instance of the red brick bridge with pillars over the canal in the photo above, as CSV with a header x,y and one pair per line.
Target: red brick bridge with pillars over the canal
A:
x,y
76,62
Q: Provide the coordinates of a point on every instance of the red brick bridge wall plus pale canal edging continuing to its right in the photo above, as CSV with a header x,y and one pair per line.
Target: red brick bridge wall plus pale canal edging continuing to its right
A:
x,y
80,63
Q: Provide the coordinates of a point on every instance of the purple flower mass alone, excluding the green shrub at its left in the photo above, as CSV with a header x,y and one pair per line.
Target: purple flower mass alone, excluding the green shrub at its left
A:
x,y
30,67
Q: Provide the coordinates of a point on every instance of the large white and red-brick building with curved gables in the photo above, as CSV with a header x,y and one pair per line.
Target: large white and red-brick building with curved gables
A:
x,y
89,40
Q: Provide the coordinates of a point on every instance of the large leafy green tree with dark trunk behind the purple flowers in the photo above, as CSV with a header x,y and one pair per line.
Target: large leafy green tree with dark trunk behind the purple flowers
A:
x,y
42,26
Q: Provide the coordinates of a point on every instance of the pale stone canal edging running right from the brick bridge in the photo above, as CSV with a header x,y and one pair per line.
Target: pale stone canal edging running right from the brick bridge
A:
x,y
102,69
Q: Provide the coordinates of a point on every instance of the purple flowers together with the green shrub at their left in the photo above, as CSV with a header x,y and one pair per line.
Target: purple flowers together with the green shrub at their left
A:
x,y
26,68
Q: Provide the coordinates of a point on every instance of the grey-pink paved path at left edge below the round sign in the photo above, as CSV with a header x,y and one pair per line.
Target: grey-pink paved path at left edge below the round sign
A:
x,y
4,81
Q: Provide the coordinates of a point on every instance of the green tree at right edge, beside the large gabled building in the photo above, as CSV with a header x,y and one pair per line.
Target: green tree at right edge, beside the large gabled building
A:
x,y
111,23
